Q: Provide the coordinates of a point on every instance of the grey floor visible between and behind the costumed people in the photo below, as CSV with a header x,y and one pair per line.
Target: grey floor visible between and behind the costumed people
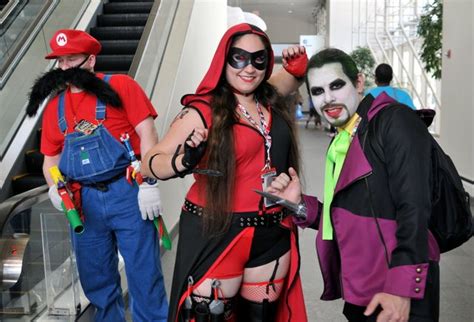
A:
x,y
457,266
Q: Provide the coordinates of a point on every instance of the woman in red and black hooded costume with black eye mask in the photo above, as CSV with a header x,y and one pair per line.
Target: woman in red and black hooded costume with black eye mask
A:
x,y
238,256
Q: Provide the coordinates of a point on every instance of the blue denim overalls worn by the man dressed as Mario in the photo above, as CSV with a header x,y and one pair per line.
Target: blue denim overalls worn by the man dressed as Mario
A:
x,y
112,221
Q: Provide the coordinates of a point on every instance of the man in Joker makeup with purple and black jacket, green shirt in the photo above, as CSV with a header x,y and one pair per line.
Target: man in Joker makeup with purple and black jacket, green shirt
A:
x,y
374,247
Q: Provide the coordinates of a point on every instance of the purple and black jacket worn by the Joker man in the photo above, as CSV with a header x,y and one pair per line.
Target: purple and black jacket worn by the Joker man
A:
x,y
387,177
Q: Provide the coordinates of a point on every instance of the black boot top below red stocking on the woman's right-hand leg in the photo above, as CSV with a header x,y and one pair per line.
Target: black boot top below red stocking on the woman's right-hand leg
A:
x,y
249,311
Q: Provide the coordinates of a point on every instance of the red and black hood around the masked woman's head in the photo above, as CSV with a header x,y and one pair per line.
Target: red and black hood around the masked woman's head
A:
x,y
214,73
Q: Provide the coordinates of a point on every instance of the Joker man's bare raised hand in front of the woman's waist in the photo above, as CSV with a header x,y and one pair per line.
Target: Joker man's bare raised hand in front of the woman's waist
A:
x,y
287,187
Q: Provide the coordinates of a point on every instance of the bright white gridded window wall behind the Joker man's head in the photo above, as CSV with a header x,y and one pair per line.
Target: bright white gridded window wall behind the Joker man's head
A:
x,y
390,28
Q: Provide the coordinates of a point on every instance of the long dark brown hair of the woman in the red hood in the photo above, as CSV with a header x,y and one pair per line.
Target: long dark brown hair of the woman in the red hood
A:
x,y
221,154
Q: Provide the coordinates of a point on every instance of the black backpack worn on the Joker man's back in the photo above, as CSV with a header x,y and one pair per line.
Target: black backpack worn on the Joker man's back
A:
x,y
451,221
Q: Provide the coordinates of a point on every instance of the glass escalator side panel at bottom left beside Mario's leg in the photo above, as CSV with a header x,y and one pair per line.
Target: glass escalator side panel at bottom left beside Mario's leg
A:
x,y
37,268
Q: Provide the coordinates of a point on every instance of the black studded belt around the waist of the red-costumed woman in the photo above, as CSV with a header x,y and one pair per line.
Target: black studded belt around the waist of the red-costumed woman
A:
x,y
243,219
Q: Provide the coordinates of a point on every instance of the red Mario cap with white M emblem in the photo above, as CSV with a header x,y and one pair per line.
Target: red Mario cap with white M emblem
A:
x,y
70,42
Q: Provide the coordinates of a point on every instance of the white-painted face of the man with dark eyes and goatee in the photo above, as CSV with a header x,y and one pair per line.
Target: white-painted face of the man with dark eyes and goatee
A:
x,y
333,94
